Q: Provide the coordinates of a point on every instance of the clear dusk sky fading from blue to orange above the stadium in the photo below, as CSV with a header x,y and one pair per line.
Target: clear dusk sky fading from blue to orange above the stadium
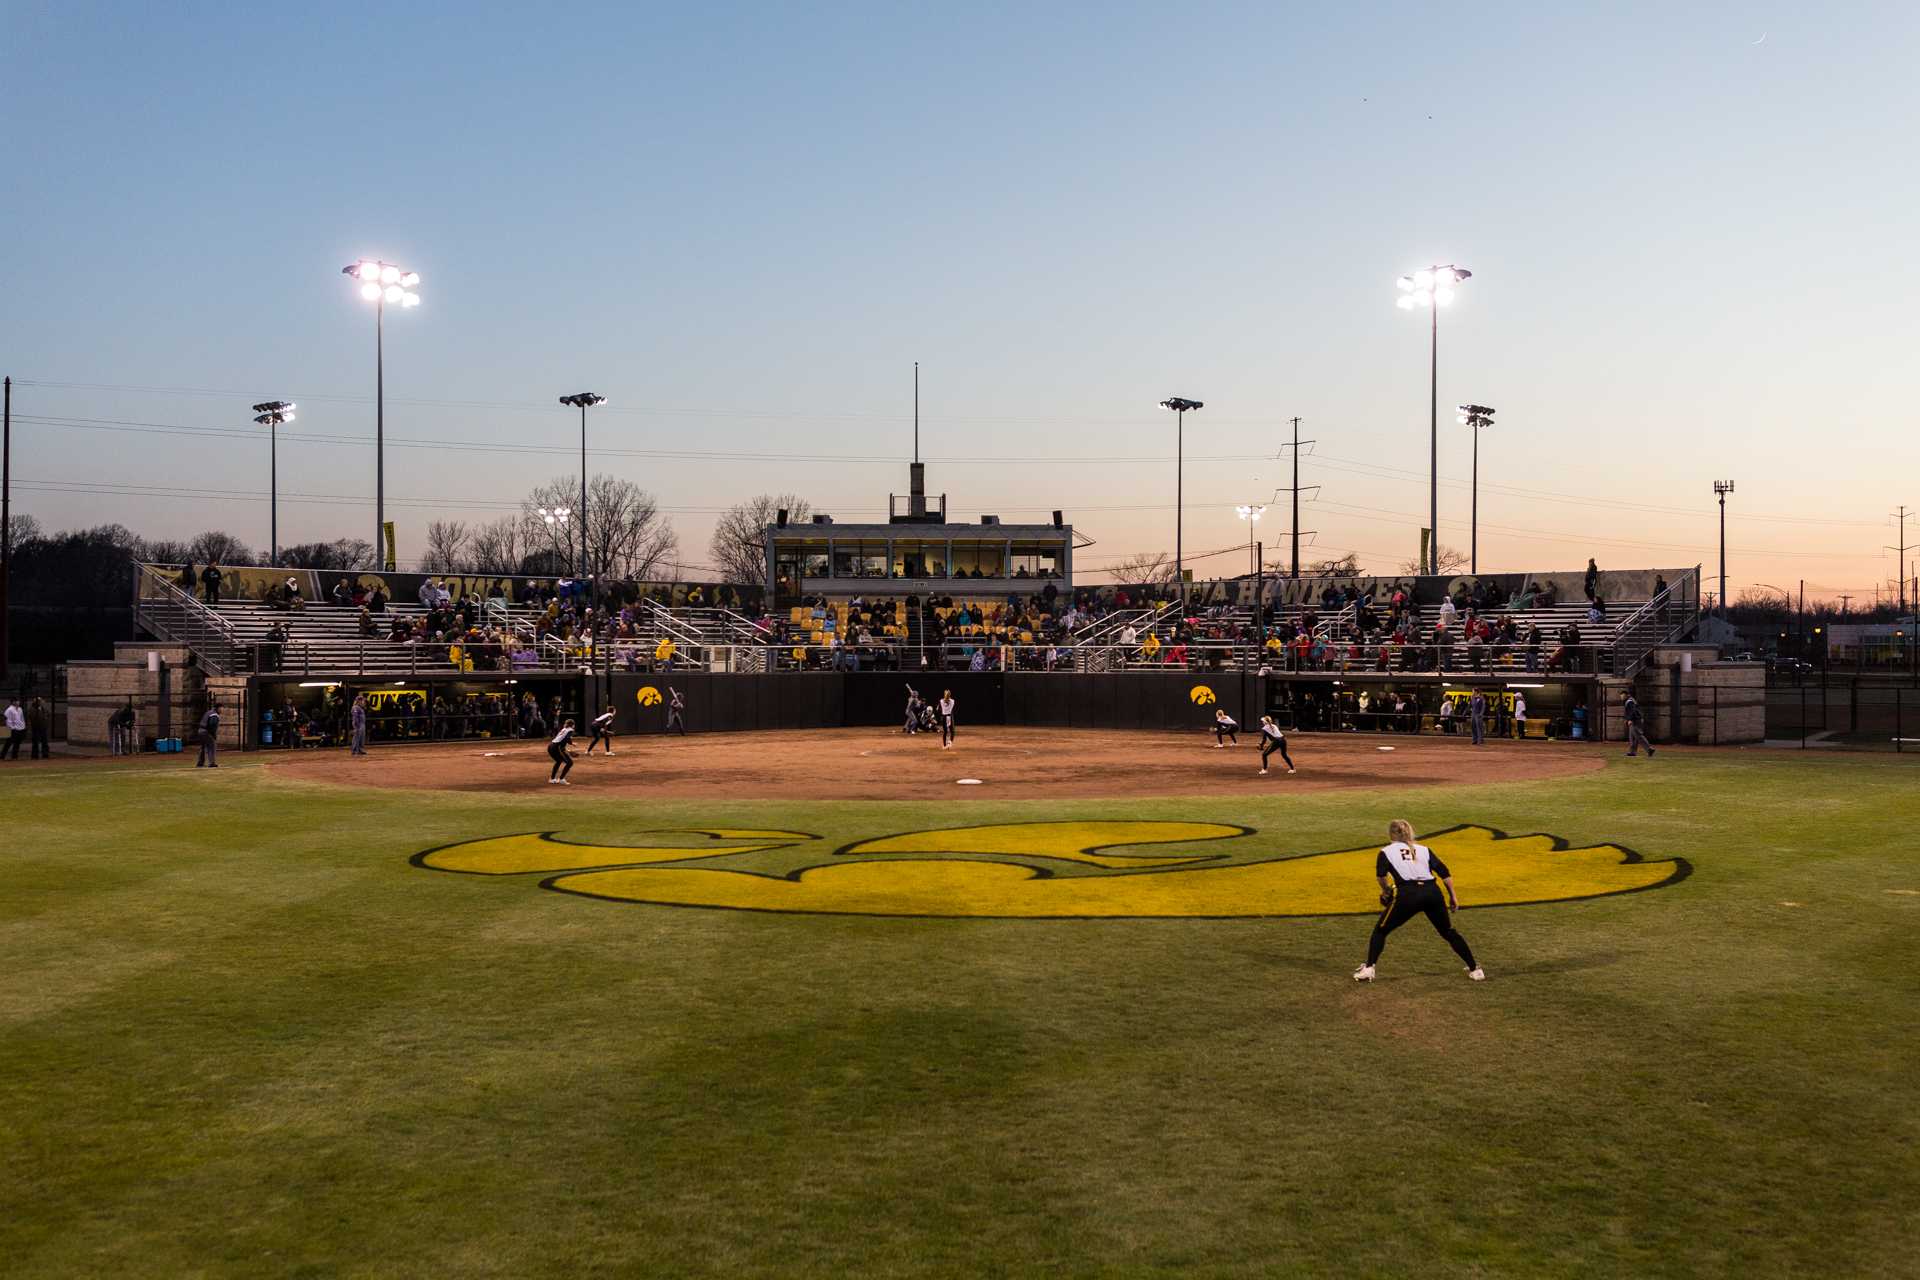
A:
x,y
1691,227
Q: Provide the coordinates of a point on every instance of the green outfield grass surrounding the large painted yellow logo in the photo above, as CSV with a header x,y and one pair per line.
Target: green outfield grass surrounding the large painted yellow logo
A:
x,y
245,1037
